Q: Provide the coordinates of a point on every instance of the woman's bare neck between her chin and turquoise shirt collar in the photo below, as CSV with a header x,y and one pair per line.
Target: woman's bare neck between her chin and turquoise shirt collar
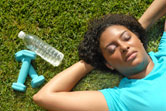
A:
x,y
143,73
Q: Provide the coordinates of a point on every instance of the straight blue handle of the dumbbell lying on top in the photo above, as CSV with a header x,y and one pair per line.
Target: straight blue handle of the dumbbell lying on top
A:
x,y
24,70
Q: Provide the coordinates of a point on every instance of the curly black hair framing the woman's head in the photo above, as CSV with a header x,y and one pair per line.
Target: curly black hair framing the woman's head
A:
x,y
89,50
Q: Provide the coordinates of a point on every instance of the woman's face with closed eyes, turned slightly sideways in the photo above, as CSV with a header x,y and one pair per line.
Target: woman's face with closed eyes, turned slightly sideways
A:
x,y
123,50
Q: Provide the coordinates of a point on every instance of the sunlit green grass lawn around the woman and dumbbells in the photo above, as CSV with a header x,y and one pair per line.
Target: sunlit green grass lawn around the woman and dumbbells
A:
x,y
62,24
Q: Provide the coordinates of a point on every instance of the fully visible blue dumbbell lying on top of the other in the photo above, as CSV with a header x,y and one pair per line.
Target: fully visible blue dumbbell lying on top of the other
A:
x,y
25,56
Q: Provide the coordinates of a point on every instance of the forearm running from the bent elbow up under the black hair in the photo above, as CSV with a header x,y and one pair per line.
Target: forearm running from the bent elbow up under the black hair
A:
x,y
66,80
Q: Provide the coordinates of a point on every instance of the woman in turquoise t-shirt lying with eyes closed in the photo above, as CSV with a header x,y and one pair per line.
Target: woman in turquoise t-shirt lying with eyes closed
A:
x,y
114,42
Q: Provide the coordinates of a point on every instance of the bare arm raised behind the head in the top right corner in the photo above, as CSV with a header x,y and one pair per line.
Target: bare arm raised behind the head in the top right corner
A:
x,y
155,11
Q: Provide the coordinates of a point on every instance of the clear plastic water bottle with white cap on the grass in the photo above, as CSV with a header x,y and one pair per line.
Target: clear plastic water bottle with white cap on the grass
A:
x,y
41,48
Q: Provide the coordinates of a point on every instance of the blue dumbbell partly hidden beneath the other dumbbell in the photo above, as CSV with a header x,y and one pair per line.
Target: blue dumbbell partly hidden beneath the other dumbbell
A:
x,y
36,80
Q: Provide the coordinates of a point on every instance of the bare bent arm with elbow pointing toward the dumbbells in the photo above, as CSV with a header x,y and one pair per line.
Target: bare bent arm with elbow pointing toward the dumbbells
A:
x,y
55,94
